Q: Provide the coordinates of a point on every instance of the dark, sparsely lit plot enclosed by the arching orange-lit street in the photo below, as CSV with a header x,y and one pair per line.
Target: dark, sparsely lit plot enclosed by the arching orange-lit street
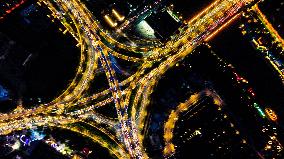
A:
x,y
217,136
